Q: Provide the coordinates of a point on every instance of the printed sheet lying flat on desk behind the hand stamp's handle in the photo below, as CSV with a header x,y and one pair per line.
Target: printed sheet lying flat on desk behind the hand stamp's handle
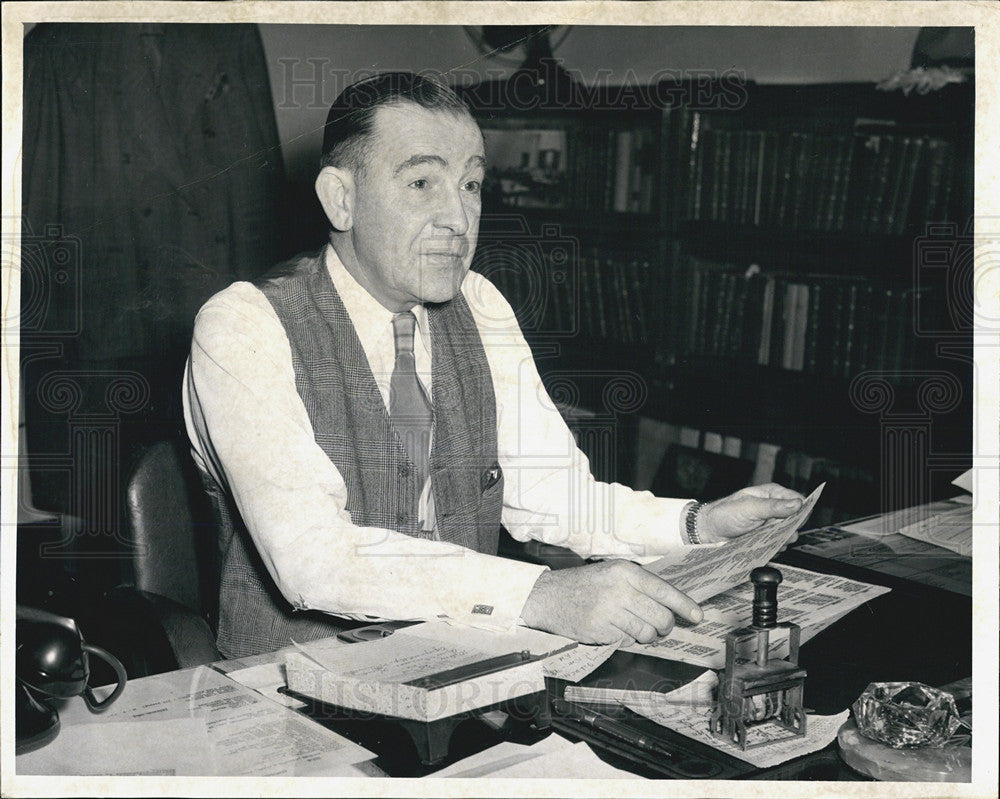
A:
x,y
809,599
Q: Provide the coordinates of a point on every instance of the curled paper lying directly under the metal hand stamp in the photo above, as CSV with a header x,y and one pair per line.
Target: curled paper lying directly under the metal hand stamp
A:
x,y
693,722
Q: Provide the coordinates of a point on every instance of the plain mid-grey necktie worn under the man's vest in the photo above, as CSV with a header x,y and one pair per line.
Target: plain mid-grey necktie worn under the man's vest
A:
x,y
409,409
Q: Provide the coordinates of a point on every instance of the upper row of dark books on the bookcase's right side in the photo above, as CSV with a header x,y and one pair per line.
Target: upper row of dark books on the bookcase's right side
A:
x,y
862,182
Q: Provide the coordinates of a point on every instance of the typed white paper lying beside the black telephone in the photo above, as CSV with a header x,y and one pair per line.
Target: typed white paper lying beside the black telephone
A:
x,y
249,734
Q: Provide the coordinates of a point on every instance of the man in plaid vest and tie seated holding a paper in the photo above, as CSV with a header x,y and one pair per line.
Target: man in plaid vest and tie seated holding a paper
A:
x,y
366,417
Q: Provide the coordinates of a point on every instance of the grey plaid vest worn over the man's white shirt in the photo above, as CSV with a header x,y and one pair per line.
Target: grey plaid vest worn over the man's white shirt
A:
x,y
351,425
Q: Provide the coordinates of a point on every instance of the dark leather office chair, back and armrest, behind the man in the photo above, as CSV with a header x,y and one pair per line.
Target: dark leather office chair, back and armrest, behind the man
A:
x,y
163,617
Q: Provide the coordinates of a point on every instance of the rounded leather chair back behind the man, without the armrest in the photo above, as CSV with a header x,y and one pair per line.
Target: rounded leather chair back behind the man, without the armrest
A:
x,y
173,529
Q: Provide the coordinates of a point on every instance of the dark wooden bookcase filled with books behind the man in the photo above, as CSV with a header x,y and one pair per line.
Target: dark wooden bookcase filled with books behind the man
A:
x,y
751,253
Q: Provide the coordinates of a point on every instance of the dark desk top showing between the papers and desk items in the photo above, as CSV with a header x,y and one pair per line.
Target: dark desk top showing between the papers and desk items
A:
x,y
887,639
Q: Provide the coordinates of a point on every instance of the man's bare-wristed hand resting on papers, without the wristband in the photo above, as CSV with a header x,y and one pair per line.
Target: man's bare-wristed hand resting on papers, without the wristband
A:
x,y
605,602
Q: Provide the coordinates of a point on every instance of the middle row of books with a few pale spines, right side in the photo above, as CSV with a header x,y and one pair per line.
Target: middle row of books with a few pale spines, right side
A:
x,y
819,324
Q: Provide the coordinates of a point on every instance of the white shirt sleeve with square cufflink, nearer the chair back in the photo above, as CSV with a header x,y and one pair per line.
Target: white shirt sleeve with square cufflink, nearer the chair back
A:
x,y
250,430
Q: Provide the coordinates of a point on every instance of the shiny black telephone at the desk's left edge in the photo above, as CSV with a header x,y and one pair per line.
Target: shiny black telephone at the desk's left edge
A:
x,y
53,662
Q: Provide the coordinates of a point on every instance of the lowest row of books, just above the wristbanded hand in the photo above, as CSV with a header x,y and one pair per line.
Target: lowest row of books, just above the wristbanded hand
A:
x,y
850,491
